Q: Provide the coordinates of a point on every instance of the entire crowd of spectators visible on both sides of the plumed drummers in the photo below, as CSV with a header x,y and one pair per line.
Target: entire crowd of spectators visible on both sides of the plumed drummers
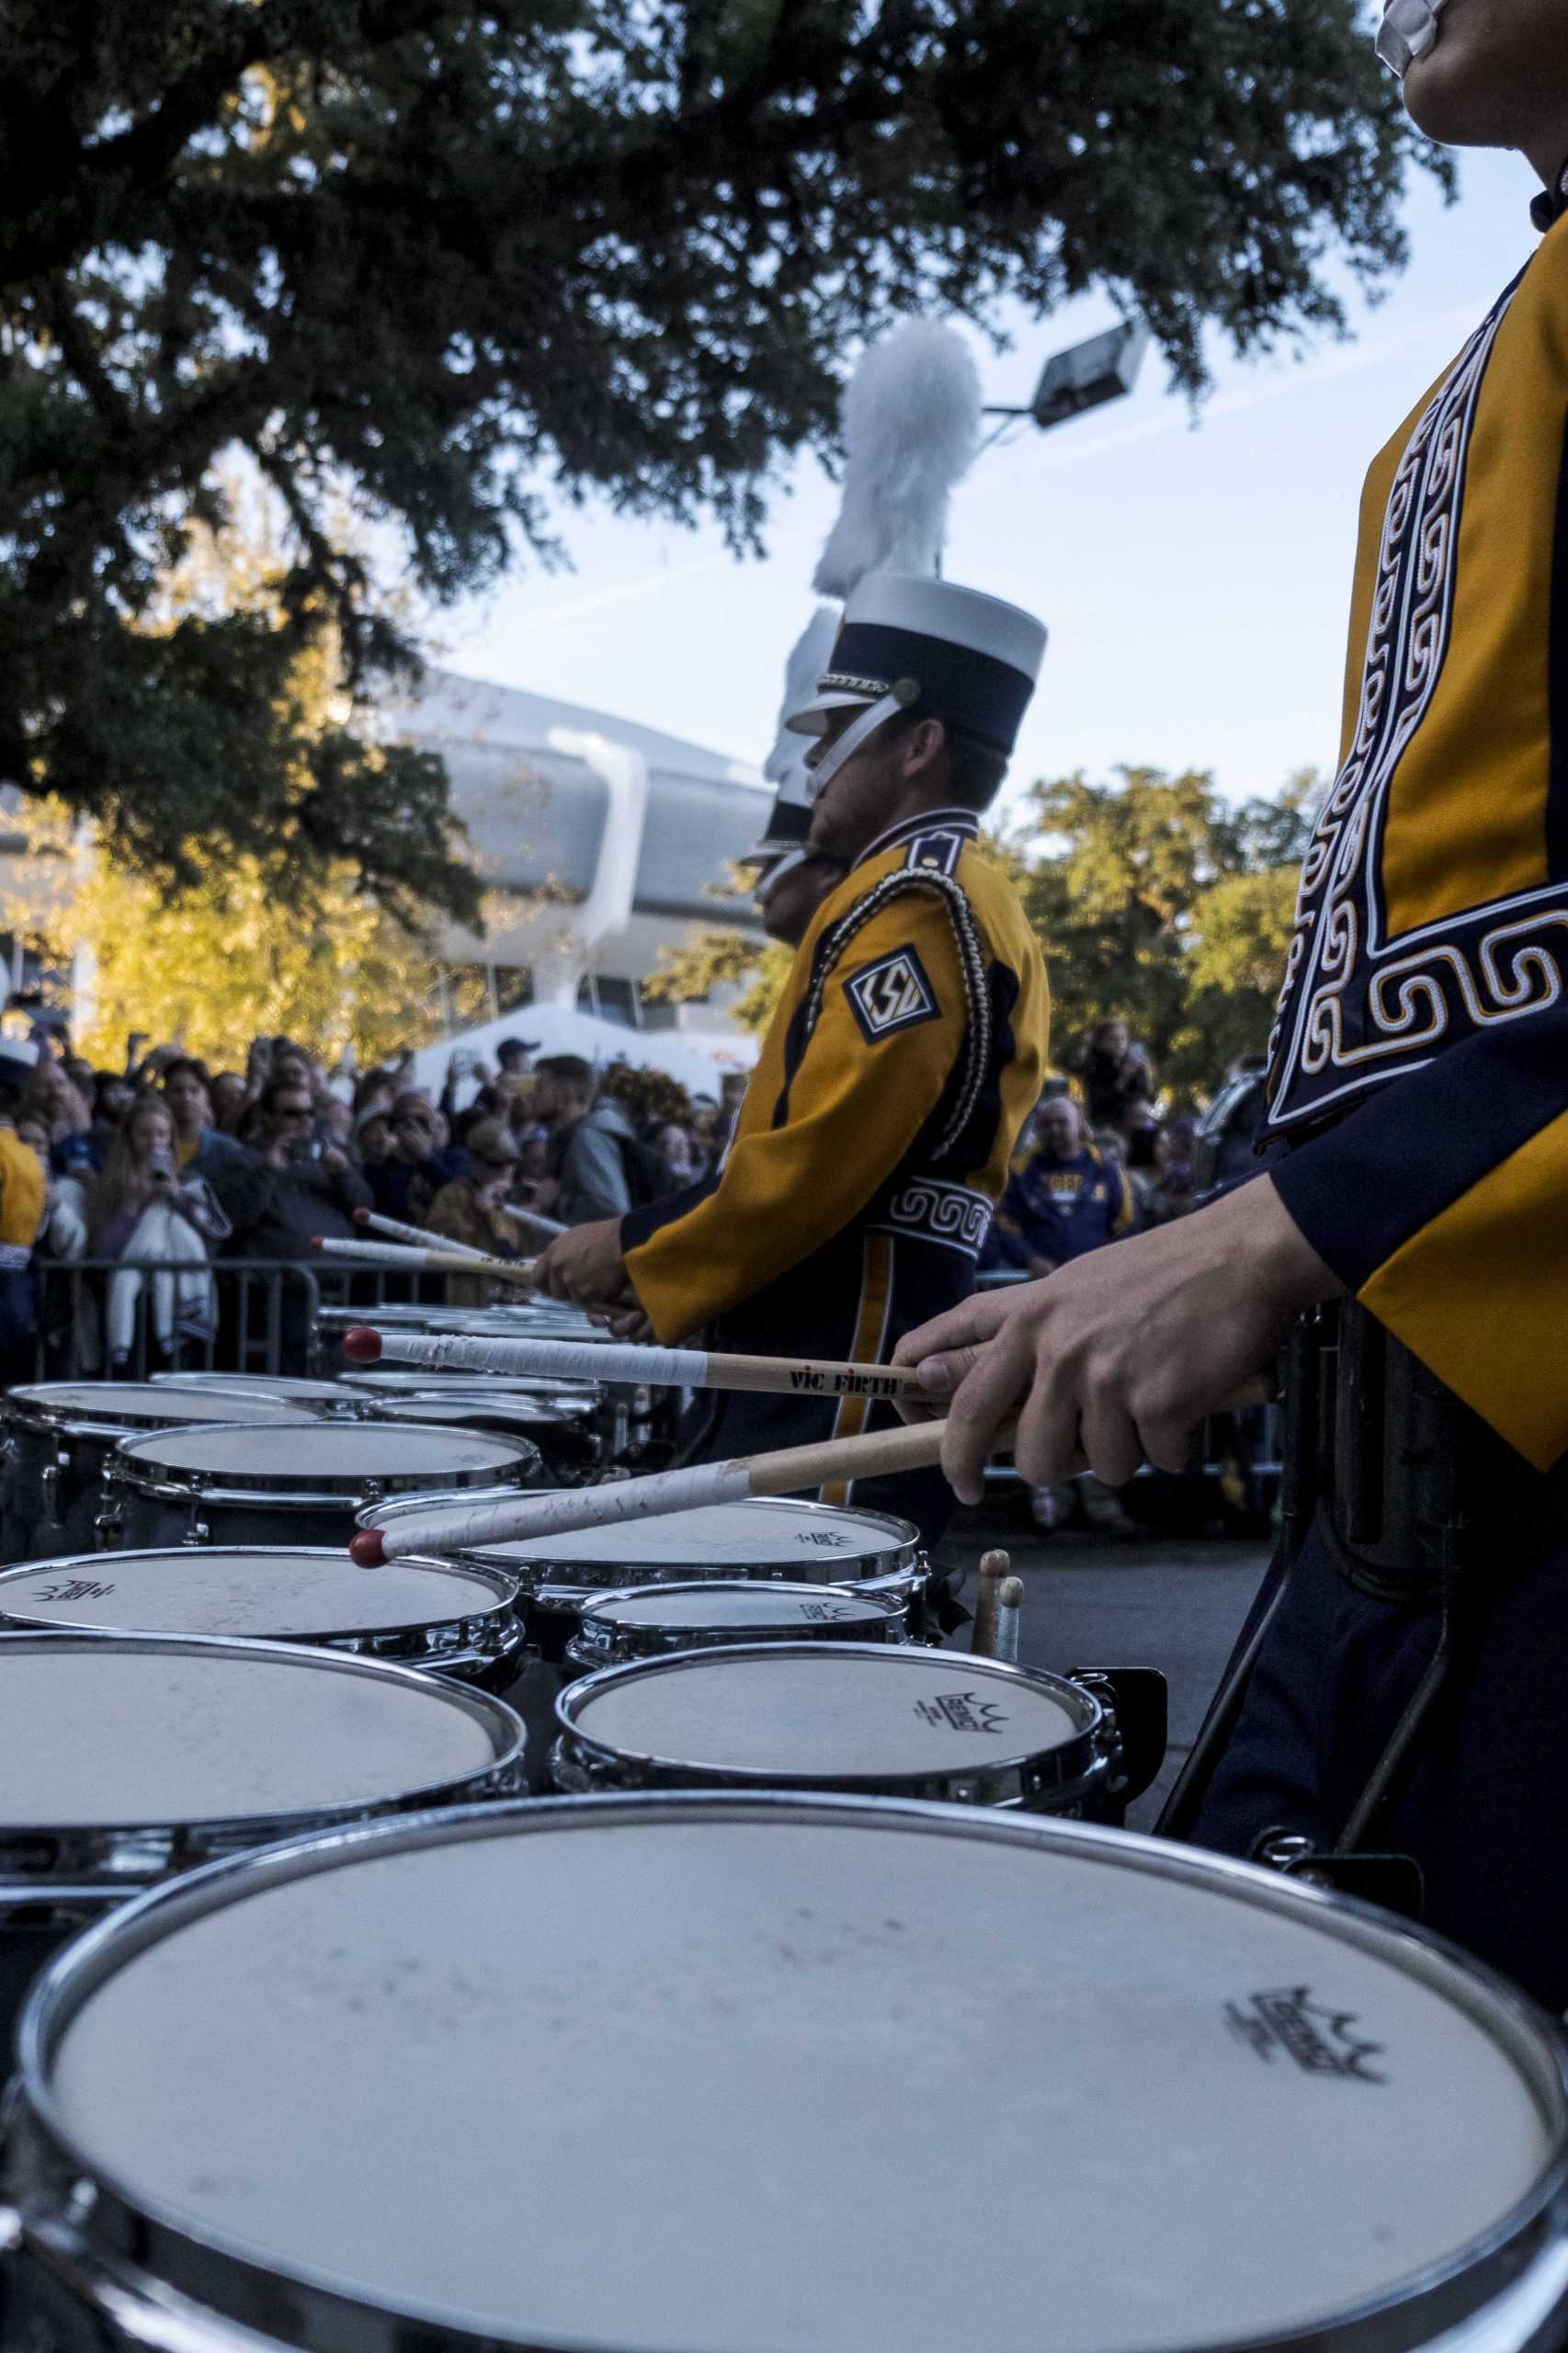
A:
x,y
175,1168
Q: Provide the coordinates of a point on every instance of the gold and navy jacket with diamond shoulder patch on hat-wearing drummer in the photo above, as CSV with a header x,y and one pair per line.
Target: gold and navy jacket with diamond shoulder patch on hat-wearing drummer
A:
x,y
875,1135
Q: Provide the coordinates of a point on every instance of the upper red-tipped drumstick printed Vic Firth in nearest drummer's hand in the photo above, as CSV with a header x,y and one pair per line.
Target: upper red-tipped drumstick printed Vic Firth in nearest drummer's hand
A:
x,y
660,1368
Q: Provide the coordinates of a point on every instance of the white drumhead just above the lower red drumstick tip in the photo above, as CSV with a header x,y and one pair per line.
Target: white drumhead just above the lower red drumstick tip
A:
x,y
331,1448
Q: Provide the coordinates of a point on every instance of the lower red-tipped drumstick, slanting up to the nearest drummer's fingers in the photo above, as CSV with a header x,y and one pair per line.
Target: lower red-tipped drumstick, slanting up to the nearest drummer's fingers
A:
x,y
519,1519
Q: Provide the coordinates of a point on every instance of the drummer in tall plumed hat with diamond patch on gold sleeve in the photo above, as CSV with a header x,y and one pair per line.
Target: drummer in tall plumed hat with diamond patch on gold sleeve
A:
x,y
901,1065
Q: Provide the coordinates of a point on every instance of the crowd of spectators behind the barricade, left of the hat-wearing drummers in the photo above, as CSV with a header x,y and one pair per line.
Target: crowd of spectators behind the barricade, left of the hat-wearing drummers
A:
x,y
173,1166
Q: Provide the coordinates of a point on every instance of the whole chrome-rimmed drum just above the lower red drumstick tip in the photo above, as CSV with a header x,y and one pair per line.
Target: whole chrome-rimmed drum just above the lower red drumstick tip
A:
x,y
291,1481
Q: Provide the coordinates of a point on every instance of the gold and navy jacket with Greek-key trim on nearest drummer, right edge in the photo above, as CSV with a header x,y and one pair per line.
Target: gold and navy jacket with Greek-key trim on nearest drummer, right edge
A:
x,y
1421,1053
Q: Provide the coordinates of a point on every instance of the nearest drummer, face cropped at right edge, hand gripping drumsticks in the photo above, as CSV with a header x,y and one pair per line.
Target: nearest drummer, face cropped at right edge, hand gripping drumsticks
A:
x,y
1400,1688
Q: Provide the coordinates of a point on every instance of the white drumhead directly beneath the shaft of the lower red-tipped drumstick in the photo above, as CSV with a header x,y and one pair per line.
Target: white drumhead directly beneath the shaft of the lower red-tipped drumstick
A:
x,y
804,1540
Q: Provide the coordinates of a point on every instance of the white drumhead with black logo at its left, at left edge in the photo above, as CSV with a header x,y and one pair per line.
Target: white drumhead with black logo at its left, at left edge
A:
x,y
241,1592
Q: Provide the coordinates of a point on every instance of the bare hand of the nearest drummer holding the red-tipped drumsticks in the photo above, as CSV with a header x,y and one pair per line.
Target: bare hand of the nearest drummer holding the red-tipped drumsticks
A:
x,y
1124,1352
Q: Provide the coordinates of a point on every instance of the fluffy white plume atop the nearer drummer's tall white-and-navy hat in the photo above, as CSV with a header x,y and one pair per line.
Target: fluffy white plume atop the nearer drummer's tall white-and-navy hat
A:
x,y
910,427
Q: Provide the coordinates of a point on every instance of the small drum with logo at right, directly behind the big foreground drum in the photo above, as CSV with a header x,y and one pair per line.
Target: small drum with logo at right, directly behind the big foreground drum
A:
x,y
849,1717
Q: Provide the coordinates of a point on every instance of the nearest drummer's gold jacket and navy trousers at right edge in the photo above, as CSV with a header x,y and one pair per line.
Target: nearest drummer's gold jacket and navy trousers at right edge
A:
x,y
1418,1100
